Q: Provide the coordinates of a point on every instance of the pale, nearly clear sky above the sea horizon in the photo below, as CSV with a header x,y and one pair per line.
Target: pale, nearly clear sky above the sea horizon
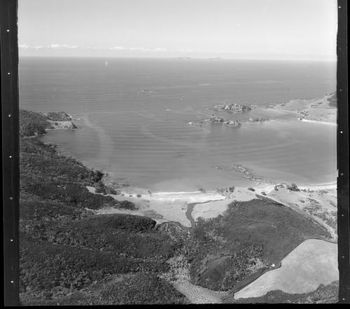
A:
x,y
242,29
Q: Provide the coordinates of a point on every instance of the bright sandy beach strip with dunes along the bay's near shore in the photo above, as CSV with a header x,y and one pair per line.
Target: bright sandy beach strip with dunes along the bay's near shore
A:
x,y
317,201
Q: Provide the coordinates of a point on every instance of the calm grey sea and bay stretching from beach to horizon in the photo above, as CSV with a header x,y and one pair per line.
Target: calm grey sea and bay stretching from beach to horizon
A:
x,y
133,115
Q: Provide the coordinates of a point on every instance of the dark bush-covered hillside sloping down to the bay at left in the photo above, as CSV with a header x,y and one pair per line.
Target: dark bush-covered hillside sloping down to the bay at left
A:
x,y
65,249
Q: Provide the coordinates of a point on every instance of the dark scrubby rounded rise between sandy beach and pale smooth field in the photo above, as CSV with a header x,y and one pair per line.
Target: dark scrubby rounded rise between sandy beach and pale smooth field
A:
x,y
248,238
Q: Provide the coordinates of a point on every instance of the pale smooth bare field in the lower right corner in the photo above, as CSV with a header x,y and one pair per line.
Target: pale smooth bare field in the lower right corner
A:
x,y
312,263
